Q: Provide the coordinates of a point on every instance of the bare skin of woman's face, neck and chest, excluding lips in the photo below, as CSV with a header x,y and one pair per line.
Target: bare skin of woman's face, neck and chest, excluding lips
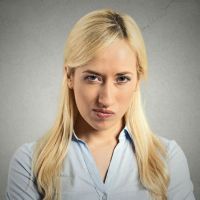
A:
x,y
109,90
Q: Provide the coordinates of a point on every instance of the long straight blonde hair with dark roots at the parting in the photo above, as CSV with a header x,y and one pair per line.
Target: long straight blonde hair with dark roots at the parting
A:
x,y
91,33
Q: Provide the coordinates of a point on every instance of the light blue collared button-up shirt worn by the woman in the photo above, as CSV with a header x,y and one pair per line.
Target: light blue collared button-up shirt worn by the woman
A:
x,y
80,178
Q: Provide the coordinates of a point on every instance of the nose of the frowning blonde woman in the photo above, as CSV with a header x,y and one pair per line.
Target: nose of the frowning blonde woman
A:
x,y
106,95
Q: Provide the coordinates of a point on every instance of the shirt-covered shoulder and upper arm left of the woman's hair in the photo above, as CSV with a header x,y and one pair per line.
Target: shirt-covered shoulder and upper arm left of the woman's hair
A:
x,y
21,183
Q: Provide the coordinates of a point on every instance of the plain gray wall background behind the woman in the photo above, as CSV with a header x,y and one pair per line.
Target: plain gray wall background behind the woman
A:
x,y
32,36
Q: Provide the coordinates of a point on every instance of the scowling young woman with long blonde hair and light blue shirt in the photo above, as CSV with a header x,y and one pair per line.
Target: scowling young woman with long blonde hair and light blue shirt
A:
x,y
100,146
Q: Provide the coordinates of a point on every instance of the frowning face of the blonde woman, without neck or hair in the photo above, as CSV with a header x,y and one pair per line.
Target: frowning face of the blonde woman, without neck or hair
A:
x,y
104,87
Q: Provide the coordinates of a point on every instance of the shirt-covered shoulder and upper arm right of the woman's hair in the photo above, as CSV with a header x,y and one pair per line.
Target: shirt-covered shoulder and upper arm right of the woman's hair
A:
x,y
180,185
